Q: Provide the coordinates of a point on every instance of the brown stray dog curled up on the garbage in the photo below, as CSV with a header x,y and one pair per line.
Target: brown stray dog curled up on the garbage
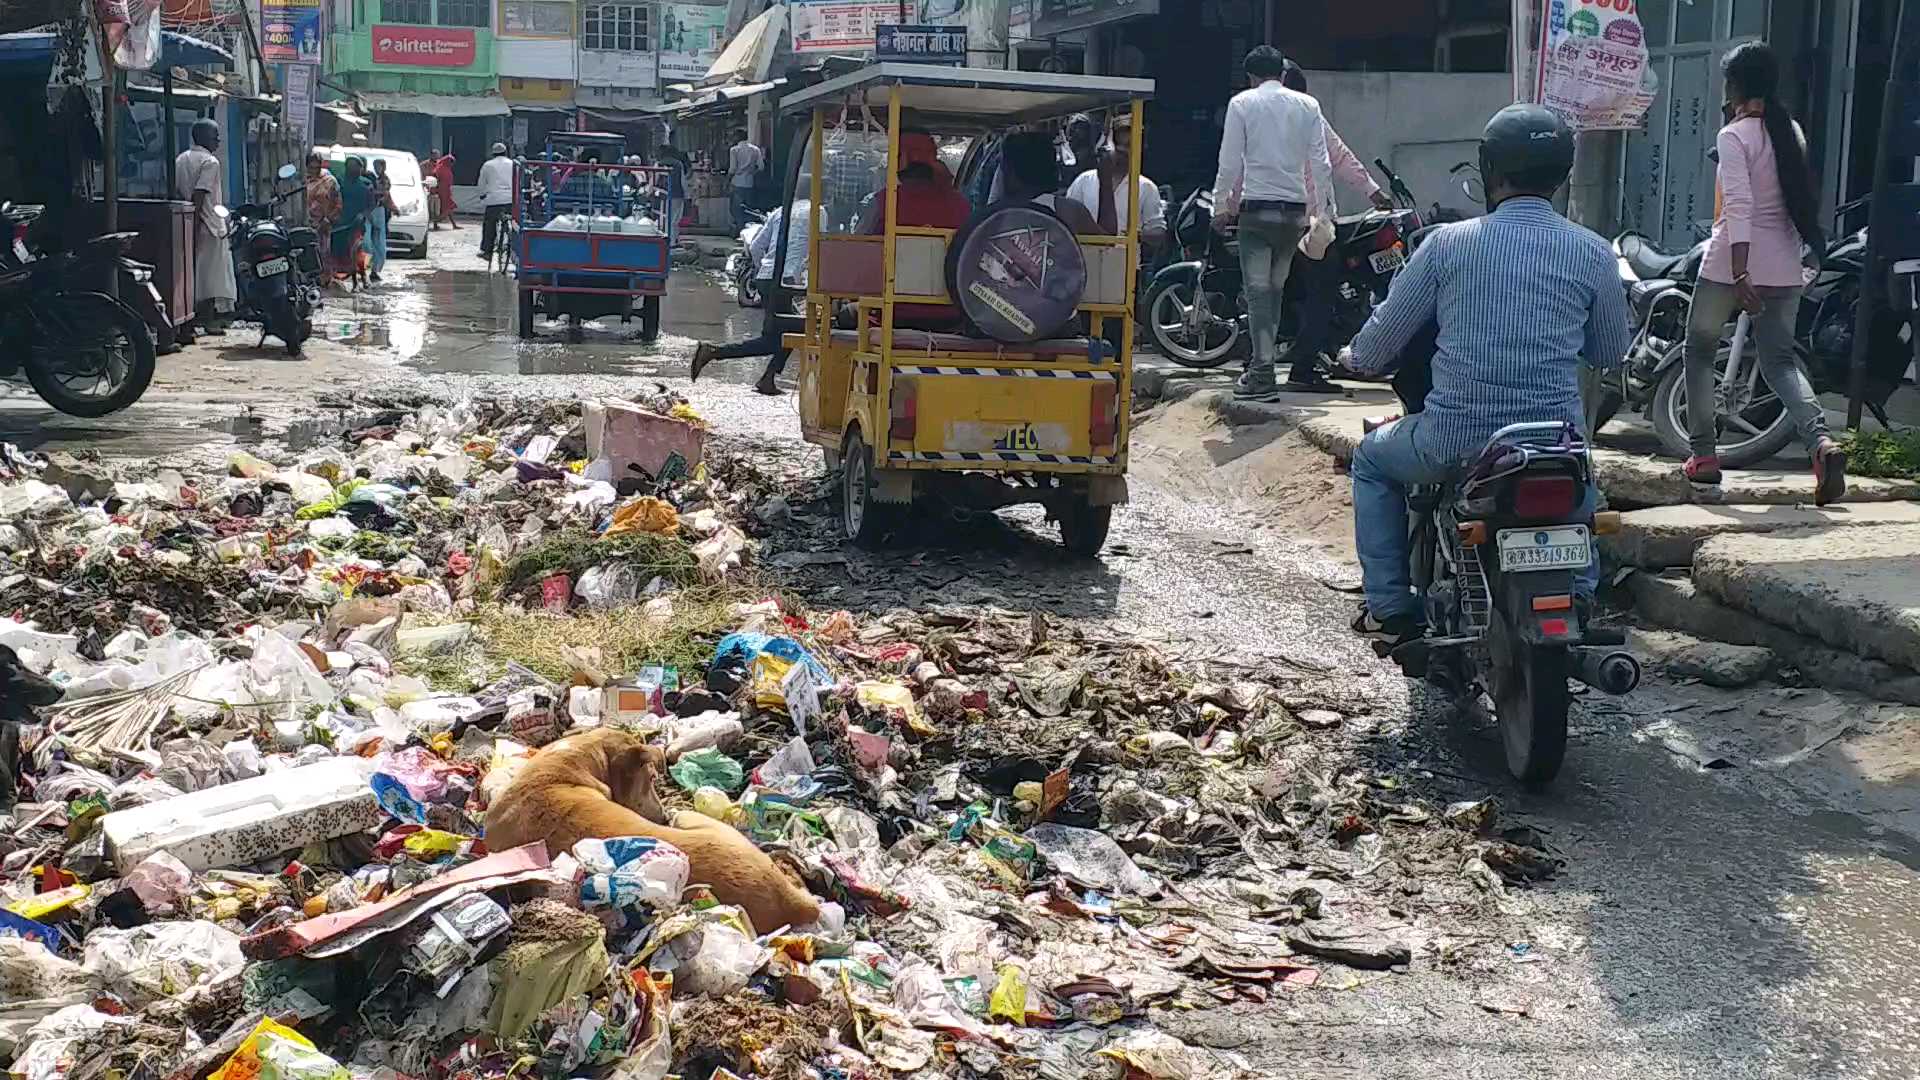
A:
x,y
600,785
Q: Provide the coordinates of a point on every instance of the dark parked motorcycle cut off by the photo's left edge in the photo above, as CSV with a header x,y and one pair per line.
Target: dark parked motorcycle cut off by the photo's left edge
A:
x,y
85,353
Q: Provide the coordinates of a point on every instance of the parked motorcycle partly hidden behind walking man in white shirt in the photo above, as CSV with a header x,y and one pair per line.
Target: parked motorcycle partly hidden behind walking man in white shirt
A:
x,y
1197,308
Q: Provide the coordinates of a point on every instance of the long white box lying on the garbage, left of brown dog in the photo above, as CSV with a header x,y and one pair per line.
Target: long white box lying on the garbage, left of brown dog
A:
x,y
247,822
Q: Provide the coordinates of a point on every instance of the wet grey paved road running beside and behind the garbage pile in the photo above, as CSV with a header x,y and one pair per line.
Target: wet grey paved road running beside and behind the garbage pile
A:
x,y
1706,925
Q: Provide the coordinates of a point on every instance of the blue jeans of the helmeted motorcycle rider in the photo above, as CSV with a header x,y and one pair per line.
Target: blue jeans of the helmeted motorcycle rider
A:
x,y
1387,464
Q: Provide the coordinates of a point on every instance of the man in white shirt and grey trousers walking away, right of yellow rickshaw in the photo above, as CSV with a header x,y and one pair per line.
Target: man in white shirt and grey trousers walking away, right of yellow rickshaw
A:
x,y
1270,159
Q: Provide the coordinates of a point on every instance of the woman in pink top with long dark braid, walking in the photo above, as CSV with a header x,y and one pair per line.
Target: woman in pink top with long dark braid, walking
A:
x,y
1765,214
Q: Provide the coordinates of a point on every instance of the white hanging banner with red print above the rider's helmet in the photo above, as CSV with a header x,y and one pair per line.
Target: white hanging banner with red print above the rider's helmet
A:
x,y
1585,61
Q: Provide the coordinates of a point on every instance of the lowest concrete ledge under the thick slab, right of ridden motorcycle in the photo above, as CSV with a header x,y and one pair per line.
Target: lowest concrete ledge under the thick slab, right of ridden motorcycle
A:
x,y
1675,602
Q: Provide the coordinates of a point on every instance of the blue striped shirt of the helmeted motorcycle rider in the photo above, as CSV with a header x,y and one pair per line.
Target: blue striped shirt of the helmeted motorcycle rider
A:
x,y
1522,297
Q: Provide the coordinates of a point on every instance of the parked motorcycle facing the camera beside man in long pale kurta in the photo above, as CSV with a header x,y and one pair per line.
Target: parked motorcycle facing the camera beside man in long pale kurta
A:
x,y
277,270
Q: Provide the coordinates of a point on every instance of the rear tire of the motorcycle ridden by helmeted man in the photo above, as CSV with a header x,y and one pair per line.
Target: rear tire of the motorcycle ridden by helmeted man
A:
x,y
1529,691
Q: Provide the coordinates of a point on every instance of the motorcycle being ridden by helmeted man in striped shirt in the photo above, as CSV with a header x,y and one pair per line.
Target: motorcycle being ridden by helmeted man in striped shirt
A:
x,y
1493,558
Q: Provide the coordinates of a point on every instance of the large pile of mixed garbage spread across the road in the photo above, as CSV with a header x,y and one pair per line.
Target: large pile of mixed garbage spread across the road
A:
x,y
249,843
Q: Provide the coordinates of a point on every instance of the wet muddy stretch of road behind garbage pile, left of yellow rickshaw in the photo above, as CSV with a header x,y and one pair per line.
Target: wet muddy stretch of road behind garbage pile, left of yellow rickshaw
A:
x,y
425,324
